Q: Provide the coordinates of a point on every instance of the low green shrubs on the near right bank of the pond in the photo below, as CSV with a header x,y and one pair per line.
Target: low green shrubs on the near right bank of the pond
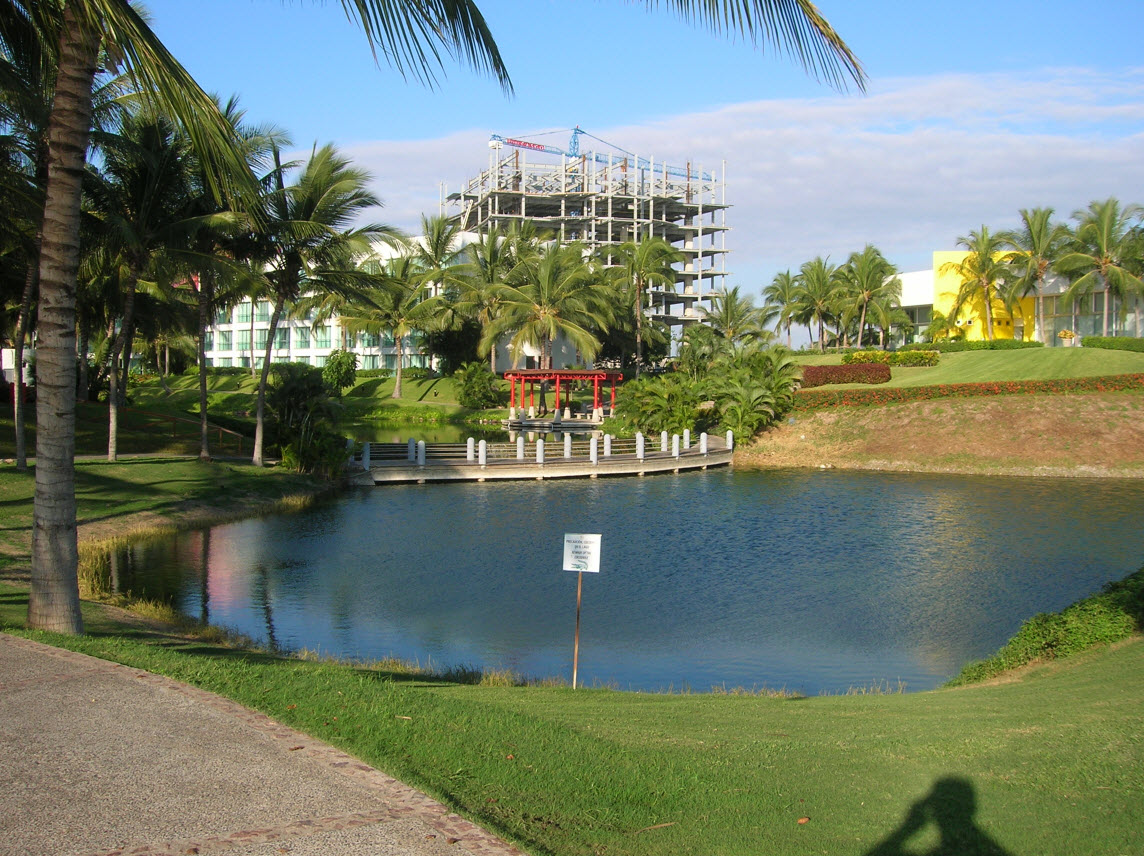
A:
x,y
1115,614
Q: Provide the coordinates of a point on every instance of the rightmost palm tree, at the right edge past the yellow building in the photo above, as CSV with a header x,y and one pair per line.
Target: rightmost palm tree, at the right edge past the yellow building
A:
x,y
1102,255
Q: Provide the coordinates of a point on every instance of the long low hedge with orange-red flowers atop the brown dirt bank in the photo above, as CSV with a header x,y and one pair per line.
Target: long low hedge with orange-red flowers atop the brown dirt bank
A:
x,y
822,399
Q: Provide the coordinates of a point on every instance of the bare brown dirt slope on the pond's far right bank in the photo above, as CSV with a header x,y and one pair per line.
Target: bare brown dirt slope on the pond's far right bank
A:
x,y
1091,435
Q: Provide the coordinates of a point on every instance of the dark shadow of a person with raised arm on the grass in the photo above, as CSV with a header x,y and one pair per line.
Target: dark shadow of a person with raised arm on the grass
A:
x,y
950,806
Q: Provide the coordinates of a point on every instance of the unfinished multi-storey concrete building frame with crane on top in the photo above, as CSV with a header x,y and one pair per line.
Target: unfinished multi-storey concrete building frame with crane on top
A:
x,y
609,197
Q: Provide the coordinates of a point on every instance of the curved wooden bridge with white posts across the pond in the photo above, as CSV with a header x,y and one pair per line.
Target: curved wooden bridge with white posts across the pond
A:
x,y
599,457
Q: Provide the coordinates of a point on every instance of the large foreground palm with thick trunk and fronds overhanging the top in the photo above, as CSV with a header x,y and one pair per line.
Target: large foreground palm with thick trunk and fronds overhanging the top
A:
x,y
411,36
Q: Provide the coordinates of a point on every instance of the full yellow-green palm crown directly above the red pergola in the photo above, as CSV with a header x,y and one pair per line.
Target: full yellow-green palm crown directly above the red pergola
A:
x,y
553,295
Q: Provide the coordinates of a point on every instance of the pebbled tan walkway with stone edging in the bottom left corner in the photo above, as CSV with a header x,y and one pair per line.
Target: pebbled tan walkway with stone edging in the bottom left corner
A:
x,y
98,759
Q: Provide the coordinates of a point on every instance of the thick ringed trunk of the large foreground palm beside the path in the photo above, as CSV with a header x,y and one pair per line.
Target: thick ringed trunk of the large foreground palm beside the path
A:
x,y
53,603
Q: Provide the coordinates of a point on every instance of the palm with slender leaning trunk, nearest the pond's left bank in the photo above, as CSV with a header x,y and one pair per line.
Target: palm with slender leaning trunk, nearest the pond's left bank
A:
x,y
311,247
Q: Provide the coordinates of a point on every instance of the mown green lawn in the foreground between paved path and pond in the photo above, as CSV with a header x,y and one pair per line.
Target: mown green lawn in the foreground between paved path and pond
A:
x,y
1053,762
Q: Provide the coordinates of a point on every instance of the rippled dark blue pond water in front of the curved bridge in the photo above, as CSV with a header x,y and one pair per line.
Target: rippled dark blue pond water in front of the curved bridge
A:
x,y
816,582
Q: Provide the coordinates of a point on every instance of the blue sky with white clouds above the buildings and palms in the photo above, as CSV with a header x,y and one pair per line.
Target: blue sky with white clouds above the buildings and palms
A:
x,y
973,112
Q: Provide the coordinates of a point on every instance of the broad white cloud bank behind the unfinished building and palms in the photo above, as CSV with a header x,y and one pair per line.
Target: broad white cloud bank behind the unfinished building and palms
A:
x,y
910,168
